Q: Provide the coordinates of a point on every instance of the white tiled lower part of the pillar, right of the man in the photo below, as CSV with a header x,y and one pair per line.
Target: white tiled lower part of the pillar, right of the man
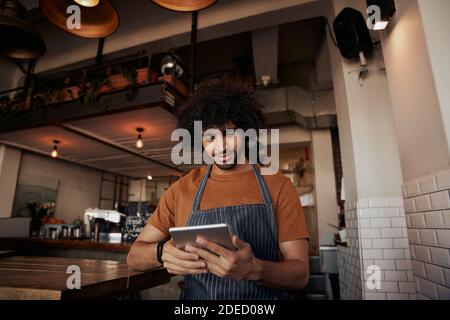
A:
x,y
377,235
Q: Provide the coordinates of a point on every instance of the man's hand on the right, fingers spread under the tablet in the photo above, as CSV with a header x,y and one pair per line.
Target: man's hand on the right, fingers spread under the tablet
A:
x,y
238,265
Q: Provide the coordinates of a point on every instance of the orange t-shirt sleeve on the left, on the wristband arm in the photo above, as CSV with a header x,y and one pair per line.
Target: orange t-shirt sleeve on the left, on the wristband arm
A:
x,y
164,216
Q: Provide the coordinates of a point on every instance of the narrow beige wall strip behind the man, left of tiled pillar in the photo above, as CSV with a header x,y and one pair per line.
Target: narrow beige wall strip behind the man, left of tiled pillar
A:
x,y
325,186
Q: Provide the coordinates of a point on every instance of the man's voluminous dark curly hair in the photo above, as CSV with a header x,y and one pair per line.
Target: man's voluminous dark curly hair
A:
x,y
217,103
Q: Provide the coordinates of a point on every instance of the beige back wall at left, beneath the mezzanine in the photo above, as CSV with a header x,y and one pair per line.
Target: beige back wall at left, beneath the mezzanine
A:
x,y
79,187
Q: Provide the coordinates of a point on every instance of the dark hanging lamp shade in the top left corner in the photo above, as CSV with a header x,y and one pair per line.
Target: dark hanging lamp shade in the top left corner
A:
x,y
19,39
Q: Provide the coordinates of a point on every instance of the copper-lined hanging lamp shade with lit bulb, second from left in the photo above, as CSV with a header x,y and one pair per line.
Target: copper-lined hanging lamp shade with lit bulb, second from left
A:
x,y
96,21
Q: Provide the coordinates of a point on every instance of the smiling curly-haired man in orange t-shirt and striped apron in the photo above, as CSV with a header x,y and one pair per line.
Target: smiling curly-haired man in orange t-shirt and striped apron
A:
x,y
264,212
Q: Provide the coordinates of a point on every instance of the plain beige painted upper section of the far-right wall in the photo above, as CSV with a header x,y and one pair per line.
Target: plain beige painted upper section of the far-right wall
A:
x,y
419,122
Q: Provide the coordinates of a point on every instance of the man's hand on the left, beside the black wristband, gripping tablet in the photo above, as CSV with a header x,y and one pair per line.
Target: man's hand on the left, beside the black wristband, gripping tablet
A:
x,y
179,262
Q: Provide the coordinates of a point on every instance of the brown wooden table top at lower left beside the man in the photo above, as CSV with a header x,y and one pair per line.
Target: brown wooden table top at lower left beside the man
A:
x,y
23,277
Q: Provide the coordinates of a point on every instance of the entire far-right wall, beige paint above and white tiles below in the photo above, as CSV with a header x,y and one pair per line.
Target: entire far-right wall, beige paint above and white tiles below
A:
x,y
416,48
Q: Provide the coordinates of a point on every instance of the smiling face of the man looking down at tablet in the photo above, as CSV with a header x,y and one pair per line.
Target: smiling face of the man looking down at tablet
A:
x,y
223,148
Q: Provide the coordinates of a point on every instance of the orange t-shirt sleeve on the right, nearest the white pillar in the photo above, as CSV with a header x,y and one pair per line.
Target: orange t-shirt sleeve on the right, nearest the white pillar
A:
x,y
290,215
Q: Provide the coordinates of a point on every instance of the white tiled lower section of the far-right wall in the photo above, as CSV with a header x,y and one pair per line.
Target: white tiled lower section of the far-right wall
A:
x,y
427,207
